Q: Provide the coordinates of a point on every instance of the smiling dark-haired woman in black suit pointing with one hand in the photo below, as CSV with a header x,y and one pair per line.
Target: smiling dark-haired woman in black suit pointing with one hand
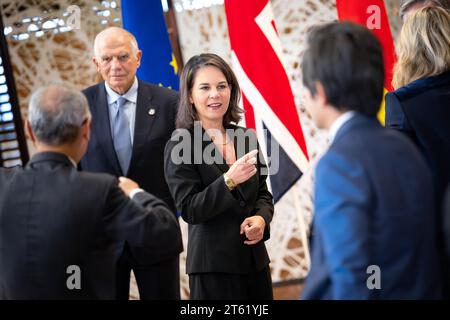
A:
x,y
219,186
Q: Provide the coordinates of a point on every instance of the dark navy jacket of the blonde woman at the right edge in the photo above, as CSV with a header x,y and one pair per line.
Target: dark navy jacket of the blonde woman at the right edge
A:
x,y
421,110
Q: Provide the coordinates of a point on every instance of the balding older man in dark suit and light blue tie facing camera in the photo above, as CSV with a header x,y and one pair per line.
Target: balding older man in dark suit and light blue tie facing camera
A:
x,y
132,121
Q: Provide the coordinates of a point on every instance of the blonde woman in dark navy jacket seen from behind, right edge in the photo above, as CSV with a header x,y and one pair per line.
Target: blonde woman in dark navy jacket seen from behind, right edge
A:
x,y
420,107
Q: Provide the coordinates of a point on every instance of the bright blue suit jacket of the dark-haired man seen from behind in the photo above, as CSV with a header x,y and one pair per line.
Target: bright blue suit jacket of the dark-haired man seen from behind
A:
x,y
373,206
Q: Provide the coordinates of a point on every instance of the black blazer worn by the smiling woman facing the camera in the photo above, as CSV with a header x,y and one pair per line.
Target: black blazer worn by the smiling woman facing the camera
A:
x,y
214,213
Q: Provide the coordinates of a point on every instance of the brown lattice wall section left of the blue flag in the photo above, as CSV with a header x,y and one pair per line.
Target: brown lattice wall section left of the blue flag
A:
x,y
43,50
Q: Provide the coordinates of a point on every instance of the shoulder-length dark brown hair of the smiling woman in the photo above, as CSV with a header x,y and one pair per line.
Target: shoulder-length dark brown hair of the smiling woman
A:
x,y
187,114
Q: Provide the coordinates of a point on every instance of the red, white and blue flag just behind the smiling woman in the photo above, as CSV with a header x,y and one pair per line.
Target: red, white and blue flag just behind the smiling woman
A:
x,y
267,94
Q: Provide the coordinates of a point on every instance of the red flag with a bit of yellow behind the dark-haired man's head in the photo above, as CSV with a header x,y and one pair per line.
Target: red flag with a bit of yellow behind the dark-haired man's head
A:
x,y
372,15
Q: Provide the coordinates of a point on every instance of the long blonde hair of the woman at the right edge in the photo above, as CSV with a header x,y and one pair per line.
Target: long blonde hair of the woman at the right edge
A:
x,y
424,46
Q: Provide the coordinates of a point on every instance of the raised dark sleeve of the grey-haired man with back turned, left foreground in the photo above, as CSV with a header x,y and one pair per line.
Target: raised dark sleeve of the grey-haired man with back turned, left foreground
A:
x,y
144,221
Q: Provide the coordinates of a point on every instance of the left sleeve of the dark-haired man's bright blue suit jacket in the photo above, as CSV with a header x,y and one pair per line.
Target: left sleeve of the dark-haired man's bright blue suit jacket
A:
x,y
342,208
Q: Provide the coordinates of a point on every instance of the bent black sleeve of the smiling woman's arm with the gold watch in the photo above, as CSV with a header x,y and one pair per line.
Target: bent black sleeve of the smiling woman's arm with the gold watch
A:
x,y
196,202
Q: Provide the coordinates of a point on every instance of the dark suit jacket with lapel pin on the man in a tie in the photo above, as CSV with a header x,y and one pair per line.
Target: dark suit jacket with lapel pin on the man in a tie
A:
x,y
155,121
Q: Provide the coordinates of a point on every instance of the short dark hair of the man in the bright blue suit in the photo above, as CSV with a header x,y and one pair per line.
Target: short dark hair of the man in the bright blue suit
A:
x,y
348,61
